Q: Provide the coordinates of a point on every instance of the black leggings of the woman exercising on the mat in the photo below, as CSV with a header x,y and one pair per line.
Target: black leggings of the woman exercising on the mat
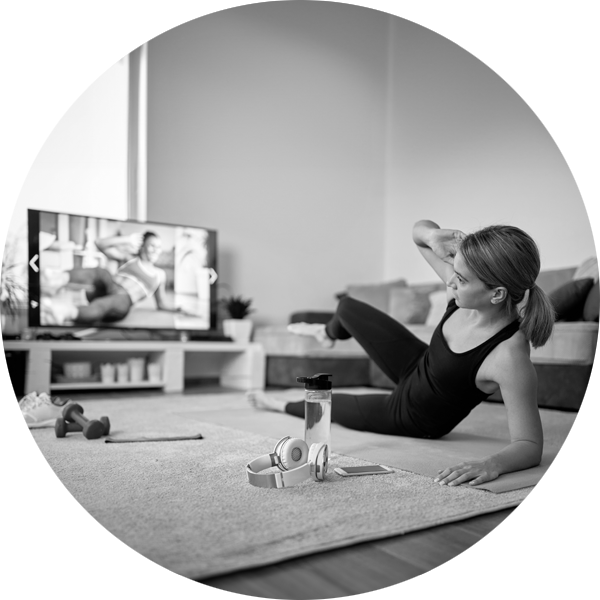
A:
x,y
393,348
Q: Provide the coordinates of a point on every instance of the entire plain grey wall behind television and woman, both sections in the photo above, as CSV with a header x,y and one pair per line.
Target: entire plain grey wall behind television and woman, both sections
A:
x,y
312,134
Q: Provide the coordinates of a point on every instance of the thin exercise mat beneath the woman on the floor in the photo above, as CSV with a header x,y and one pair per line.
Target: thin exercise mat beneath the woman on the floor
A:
x,y
427,457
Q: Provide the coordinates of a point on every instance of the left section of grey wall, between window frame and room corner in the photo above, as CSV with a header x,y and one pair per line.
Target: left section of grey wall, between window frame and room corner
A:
x,y
266,121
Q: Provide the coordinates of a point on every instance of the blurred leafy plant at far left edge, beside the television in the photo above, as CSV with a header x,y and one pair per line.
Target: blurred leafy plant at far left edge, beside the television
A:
x,y
12,292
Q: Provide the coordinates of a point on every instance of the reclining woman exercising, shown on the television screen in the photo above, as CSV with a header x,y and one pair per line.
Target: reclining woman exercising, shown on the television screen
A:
x,y
109,297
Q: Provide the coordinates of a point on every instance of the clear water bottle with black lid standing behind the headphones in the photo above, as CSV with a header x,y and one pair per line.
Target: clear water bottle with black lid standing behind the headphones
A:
x,y
317,409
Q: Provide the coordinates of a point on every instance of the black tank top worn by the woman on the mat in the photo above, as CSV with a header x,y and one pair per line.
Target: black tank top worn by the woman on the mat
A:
x,y
441,391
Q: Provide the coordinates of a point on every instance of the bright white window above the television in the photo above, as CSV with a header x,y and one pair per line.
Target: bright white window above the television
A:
x,y
63,120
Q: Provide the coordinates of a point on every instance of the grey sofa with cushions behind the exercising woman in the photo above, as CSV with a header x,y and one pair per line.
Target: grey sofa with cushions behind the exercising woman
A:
x,y
567,366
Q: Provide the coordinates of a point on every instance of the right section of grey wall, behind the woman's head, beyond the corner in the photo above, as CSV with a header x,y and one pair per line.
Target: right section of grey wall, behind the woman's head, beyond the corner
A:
x,y
495,119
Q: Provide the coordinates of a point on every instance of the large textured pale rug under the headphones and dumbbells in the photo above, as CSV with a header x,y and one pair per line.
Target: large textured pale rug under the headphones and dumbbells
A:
x,y
77,506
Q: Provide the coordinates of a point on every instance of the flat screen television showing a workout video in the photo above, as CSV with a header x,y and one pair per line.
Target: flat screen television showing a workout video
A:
x,y
91,272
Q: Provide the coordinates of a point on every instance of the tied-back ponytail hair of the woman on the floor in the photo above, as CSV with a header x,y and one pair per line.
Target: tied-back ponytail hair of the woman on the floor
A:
x,y
506,256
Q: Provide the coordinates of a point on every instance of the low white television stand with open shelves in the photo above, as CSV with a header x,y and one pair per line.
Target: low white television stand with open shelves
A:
x,y
242,366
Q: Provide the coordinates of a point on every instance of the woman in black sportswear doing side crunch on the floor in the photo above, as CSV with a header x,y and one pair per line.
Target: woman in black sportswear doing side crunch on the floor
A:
x,y
482,344
